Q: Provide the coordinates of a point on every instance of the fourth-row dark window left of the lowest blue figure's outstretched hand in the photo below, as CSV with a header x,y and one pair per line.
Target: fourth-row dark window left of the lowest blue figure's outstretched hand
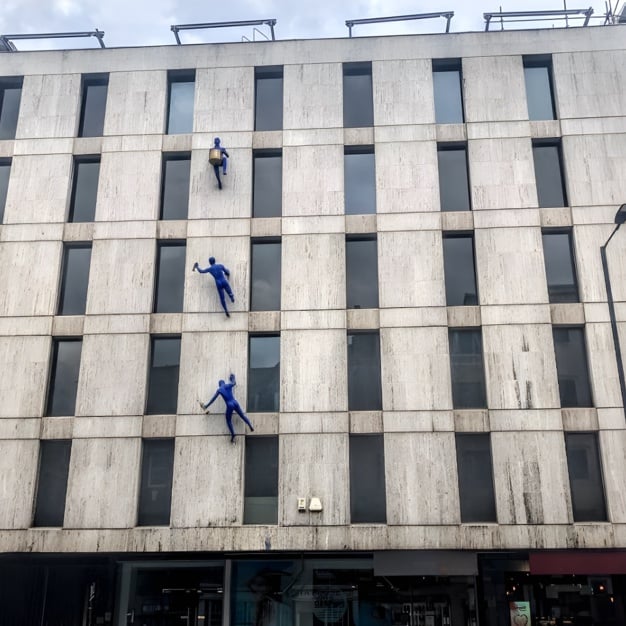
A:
x,y
163,378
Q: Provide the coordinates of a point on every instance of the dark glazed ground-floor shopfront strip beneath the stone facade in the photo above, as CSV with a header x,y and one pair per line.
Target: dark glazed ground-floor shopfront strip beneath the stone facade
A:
x,y
413,588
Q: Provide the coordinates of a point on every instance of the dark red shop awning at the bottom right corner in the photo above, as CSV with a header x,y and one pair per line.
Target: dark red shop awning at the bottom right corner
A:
x,y
578,562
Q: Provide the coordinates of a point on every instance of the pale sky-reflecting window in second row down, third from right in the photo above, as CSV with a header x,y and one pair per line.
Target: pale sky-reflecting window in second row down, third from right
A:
x,y
359,180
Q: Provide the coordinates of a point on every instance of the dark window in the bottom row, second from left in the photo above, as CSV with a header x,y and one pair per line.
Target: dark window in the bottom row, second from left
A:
x,y
155,495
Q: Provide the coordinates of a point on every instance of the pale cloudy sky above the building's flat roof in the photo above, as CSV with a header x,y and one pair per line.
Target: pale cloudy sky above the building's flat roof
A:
x,y
147,22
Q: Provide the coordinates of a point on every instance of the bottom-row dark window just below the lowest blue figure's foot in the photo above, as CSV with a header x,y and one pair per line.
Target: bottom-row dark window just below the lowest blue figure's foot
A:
x,y
261,481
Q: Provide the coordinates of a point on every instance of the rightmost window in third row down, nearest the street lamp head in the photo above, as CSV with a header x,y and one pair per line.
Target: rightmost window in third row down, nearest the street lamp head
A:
x,y
560,270
